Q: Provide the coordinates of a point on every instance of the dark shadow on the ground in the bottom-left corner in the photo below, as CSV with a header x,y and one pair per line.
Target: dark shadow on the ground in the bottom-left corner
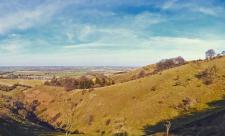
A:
x,y
10,127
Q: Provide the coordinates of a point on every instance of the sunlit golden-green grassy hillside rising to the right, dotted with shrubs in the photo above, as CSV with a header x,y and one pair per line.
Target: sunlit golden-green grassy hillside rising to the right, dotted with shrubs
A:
x,y
131,106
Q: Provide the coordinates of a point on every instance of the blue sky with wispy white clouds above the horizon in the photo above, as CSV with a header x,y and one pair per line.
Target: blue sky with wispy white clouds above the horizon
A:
x,y
108,32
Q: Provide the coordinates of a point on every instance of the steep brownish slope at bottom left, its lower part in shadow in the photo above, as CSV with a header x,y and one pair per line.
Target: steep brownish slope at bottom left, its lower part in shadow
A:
x,y
13,124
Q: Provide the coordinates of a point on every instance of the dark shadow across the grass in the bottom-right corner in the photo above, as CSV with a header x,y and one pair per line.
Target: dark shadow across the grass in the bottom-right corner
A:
x,y
205,123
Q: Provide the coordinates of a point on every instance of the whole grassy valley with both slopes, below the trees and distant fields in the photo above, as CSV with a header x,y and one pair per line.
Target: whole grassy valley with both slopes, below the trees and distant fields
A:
x,y
133,106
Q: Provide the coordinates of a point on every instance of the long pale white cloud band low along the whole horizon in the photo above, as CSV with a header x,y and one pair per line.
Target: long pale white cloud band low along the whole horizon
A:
x,y
149,50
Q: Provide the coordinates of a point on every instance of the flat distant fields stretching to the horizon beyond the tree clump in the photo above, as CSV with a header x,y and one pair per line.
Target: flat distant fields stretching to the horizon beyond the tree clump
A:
x,y
46,73
